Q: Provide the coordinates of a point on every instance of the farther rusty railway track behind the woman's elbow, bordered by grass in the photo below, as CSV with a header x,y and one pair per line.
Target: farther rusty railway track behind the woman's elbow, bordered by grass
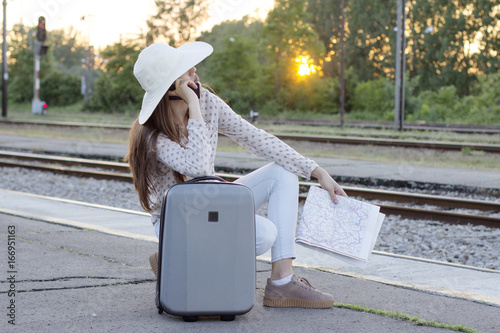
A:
x,y
346,140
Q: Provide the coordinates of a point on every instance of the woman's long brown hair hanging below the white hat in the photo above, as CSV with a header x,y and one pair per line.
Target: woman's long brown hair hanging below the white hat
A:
x,y
142,155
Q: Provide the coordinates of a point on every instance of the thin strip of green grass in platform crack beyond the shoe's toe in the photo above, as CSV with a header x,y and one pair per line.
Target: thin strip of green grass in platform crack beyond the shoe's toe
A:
x,y
403,316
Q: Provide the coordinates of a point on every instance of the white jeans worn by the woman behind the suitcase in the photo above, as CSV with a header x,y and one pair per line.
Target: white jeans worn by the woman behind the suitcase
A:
x,y
280,188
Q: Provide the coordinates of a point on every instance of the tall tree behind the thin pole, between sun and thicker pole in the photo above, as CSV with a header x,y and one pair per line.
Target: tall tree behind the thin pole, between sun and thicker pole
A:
x,y
369,36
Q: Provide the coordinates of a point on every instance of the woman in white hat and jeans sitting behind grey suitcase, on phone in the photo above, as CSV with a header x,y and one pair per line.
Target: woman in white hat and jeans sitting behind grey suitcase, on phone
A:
x,y
175,138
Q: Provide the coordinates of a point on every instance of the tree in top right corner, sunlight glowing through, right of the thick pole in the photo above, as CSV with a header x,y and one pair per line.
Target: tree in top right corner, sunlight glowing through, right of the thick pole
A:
x,y
463,43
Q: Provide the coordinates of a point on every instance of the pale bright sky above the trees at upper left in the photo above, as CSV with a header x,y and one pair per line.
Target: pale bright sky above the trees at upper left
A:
x,y
106,20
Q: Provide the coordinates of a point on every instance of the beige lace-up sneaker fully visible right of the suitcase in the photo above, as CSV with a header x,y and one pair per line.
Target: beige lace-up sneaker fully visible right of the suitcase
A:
x,y
297,293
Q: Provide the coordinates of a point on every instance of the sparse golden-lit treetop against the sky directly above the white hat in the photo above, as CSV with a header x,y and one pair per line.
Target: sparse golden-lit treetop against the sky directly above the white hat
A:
x,y
176,21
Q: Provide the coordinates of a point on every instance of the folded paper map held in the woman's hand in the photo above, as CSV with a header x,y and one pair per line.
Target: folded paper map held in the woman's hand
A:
x,y
347,230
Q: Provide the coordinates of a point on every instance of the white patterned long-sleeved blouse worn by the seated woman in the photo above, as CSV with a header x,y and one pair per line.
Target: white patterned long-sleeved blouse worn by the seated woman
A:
x,y
197,156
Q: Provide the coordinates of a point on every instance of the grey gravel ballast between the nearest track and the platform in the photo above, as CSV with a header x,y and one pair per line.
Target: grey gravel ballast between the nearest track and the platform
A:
x,y
472,245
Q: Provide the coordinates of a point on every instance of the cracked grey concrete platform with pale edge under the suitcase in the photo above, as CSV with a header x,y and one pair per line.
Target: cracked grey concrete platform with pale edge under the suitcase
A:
x,y
83,267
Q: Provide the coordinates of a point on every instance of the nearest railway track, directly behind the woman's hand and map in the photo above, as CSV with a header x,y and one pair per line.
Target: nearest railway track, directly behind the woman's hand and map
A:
x,y
408,205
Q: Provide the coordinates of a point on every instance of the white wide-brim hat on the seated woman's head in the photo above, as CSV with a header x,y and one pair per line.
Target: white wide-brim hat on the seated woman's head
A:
x,y
159,65
